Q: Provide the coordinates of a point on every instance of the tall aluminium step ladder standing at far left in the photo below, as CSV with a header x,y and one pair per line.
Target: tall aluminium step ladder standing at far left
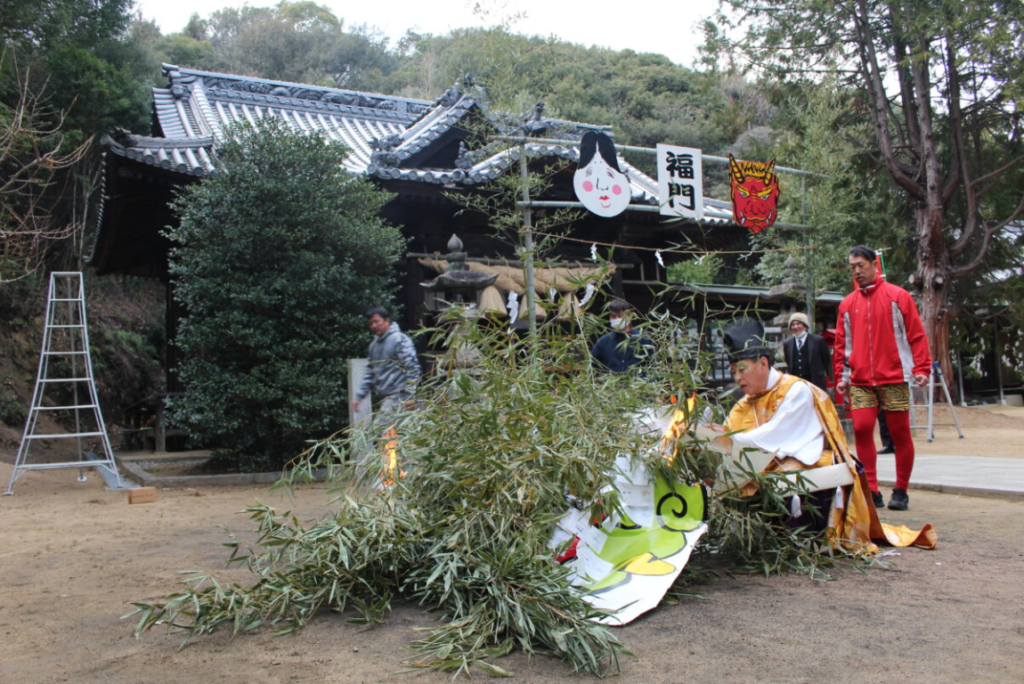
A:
x,y
66,344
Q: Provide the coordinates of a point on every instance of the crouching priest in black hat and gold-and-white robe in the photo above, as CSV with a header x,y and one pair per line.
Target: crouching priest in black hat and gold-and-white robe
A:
x,y
798,424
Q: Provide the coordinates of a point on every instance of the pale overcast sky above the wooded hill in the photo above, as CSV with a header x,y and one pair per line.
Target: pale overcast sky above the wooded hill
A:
x,y
644,26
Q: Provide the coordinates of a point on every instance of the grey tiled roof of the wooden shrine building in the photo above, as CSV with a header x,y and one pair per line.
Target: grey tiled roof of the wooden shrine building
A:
x,y
385,133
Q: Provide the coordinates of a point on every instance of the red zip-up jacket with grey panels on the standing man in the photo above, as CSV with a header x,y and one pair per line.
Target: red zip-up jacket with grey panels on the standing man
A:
x,y
879,337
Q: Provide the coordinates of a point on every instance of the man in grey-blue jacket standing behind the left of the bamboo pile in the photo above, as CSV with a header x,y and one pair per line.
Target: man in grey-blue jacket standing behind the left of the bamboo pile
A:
x,y
395,370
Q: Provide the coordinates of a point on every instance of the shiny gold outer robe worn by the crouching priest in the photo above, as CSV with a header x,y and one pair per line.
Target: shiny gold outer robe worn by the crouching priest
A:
x,y
854,523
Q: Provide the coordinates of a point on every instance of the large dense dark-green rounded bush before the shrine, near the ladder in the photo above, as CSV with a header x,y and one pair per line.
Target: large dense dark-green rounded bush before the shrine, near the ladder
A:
x,y
277,259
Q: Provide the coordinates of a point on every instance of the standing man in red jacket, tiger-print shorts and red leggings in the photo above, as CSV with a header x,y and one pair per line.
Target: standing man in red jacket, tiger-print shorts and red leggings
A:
x,y
880,349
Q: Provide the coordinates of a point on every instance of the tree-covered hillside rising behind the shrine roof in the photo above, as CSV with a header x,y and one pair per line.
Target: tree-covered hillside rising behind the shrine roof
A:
x,y
646,97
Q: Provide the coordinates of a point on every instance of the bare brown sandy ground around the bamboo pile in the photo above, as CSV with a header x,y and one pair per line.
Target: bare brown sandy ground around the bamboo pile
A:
x,y
73,555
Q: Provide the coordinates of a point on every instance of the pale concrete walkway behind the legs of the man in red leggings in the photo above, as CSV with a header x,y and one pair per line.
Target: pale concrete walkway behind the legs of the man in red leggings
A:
x,y
968,476
